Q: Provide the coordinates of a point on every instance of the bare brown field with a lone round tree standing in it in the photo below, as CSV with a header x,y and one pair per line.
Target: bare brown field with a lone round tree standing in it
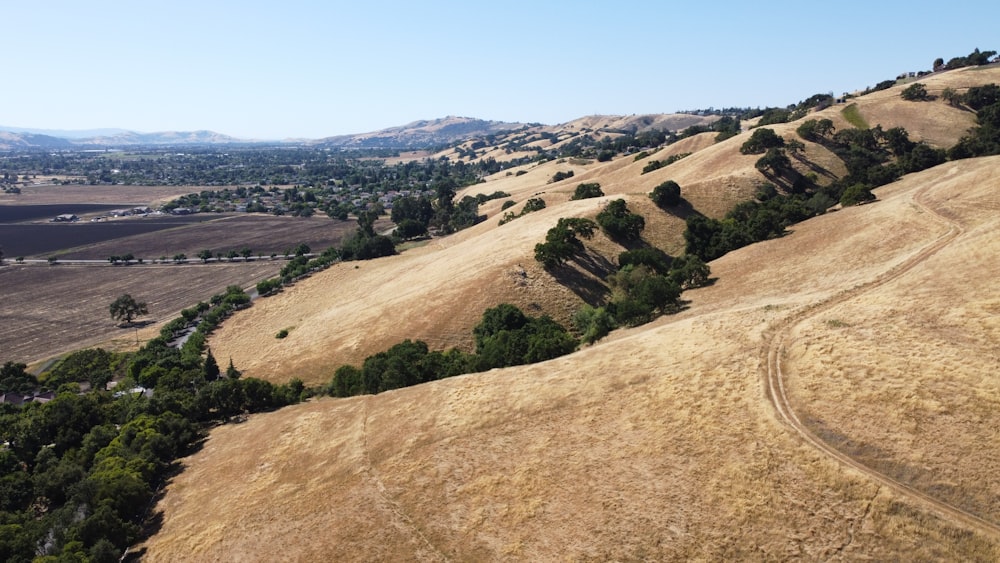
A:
x,y
49,310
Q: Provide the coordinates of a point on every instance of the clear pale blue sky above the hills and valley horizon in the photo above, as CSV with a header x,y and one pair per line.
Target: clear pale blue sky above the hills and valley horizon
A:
x,y
295,68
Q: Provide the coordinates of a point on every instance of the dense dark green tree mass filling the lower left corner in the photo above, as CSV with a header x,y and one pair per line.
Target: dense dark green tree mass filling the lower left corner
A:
x,y
79,472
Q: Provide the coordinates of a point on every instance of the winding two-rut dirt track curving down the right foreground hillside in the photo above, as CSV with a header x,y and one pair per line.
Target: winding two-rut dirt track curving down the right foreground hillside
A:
x,y
778,397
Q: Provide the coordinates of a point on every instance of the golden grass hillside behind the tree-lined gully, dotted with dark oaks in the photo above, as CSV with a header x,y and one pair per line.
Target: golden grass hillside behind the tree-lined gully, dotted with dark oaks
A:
x,y
437,293
